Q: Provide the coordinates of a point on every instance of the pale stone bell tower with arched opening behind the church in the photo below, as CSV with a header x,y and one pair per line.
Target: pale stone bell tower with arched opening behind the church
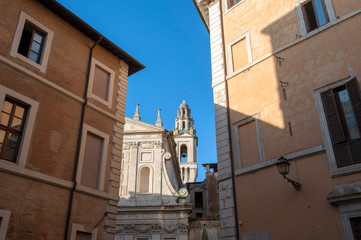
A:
x,y
186,143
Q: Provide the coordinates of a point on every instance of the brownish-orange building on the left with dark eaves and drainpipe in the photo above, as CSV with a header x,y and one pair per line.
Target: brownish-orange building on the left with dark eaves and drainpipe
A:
x,y
62,100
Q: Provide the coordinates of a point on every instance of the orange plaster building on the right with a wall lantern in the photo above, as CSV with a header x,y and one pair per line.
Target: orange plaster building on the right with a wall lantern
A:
x,y
285,77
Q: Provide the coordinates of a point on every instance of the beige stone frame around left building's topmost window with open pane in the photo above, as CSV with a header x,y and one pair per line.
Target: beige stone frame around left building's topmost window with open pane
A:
x,y
46,48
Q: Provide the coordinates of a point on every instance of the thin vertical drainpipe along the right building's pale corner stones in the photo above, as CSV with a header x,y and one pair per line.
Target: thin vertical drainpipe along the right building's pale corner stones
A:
x,y
229,122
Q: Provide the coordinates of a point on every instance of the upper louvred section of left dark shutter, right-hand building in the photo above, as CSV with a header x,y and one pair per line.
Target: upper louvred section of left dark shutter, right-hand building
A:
x,y
333,119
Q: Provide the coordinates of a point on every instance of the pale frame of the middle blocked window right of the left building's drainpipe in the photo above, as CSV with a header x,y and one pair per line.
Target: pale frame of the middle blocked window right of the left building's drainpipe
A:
x,y
105,137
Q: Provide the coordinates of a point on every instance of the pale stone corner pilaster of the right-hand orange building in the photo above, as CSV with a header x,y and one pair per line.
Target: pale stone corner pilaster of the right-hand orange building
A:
x,y
226,198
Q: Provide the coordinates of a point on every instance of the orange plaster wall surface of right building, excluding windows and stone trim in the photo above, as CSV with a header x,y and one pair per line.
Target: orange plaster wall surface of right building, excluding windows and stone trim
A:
x,y
264,199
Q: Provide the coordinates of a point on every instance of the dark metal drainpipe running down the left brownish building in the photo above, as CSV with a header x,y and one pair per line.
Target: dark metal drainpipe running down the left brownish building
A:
x,y
80,132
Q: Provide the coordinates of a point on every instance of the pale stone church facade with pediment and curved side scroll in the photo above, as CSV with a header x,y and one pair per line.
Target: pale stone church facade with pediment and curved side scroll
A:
x,y
153,203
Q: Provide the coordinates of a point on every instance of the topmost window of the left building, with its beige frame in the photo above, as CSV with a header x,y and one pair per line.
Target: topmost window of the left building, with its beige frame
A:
x,y
32,42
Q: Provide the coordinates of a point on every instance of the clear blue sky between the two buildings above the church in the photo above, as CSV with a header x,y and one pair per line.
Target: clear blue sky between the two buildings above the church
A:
x,y
169,38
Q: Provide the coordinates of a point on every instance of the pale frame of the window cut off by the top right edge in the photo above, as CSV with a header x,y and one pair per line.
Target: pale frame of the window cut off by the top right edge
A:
x,y
301,20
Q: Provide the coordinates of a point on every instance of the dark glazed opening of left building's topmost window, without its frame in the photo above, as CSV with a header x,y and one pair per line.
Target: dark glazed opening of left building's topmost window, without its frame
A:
x,y
32,42
